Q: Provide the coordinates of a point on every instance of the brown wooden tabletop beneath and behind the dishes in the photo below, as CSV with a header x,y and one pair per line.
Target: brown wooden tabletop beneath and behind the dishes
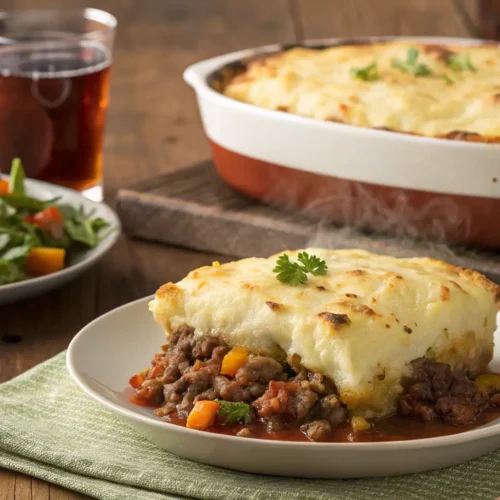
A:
x,y
154,126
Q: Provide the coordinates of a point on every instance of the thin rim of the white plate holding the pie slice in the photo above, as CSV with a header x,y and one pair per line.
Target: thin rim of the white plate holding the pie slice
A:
x,y
441,441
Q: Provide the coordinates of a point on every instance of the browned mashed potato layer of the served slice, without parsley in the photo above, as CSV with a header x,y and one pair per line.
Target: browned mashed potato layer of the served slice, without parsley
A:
x,y
361,324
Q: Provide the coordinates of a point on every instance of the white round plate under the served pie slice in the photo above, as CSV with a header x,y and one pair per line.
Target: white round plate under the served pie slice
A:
x,y
129,336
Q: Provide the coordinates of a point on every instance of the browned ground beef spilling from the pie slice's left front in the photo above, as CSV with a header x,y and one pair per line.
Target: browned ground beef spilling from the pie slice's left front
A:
x,y
281,395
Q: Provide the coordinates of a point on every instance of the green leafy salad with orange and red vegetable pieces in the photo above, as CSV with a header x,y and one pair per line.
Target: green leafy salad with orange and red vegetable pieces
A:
x,y
37,236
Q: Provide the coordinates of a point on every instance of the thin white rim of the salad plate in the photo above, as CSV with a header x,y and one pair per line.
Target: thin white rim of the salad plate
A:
x,y
100,249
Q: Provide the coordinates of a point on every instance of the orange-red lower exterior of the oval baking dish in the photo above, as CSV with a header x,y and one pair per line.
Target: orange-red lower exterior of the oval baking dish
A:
x,y
459,219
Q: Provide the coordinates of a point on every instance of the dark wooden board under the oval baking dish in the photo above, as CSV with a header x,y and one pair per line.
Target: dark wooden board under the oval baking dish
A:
x,y
194,208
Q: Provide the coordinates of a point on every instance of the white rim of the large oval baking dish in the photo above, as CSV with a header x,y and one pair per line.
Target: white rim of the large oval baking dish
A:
x,y
196,76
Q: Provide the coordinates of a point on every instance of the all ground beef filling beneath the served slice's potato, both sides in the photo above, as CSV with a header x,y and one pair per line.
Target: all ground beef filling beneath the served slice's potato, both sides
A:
x,y
286,394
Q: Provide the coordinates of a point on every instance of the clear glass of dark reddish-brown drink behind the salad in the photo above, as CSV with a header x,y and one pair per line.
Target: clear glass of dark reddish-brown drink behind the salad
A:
x,y
54,92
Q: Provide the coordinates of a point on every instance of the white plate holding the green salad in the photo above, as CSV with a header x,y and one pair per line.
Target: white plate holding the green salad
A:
x,y
80,262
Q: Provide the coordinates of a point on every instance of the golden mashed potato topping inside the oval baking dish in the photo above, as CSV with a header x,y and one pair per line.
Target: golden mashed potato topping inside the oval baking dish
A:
x,y
447,91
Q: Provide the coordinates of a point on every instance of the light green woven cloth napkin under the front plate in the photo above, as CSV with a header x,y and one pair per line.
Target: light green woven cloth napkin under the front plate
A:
x,y
52,430
